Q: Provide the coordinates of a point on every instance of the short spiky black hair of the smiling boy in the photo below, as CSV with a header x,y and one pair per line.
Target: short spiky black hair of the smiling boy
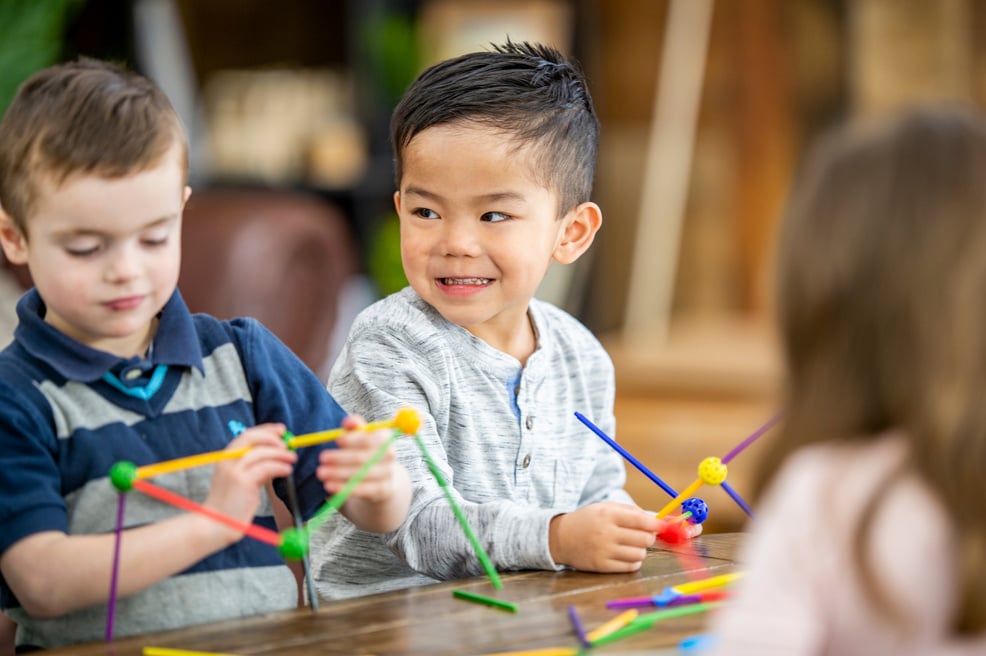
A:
x,y
530,92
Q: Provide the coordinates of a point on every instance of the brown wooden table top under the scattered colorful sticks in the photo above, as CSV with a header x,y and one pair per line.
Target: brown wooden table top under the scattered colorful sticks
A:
x,y
429,620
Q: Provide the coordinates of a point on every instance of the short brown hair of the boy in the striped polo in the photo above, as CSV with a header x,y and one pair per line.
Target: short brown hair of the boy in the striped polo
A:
x,y
85,116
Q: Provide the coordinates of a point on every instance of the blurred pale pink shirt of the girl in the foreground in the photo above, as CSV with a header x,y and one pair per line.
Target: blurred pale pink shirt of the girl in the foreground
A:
x,y
802,594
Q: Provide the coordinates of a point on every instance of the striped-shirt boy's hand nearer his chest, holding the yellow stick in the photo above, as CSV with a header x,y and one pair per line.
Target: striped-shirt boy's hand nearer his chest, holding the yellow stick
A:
x,y
236,483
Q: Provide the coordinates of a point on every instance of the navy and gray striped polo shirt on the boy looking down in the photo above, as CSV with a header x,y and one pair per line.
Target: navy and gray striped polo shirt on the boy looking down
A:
x,y
69,412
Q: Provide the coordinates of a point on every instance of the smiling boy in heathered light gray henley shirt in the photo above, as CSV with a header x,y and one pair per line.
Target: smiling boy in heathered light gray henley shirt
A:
x,y
495,154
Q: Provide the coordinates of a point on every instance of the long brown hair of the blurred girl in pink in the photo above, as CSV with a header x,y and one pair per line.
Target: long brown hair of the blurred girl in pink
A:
x,y
882,315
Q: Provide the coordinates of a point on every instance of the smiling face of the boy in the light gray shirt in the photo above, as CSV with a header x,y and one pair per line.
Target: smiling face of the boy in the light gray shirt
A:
x,y
477,232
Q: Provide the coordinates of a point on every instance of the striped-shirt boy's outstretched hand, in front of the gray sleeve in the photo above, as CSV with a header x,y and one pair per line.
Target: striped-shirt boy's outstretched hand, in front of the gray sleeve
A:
x,y
380,501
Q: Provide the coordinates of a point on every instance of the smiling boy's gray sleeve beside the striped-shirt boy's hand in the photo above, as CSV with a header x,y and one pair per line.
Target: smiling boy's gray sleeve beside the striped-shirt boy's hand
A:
x,y
376,374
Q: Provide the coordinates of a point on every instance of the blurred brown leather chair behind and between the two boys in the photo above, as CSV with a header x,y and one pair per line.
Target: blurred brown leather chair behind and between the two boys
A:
x,y
281,257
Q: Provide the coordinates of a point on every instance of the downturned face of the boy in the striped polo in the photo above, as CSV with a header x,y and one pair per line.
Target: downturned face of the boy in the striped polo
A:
x,y
104,253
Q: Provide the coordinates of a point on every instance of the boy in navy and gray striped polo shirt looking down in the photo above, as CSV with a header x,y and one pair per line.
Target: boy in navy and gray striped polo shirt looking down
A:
x,y
107,364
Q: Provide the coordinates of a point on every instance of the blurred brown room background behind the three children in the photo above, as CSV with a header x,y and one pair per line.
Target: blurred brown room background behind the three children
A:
x,y
706,109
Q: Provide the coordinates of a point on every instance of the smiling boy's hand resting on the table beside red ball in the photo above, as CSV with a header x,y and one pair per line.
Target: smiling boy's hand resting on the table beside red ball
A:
x,y
603,537
